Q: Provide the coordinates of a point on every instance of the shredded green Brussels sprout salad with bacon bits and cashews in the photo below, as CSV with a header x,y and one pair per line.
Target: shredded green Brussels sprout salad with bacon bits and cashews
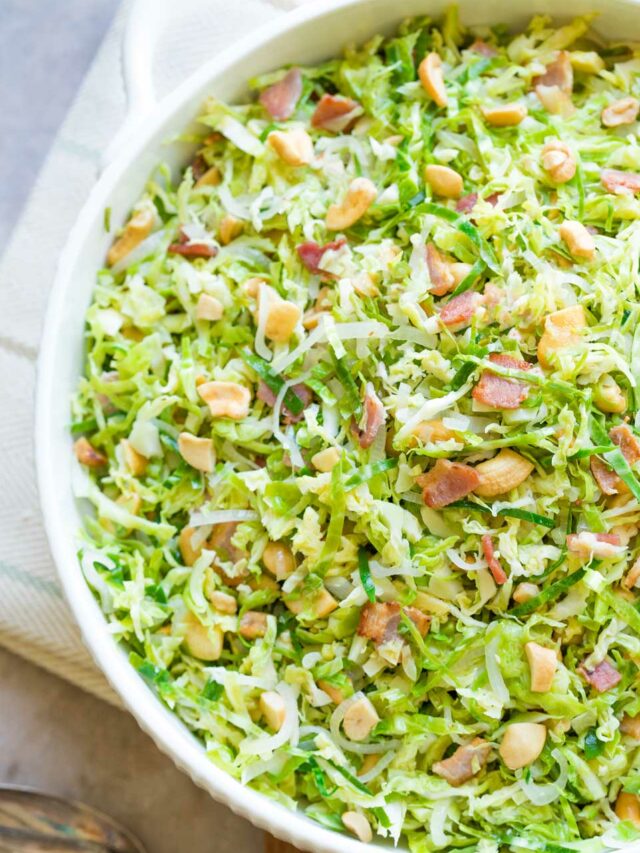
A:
x,y
360,427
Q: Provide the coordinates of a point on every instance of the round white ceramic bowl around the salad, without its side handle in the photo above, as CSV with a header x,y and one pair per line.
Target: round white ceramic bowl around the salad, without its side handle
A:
x,y
310,34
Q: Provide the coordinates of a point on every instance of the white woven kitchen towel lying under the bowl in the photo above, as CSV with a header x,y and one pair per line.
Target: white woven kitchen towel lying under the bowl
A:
x,y
34,619
